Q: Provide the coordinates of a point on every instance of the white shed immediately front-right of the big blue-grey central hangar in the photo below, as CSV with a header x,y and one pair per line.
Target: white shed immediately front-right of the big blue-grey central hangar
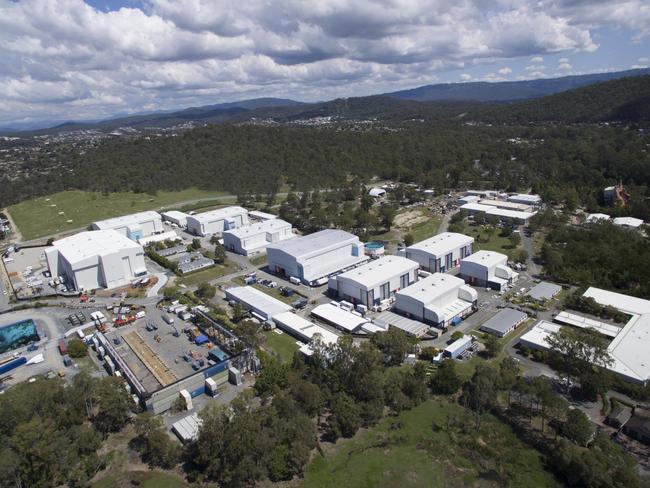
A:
x,y
375,281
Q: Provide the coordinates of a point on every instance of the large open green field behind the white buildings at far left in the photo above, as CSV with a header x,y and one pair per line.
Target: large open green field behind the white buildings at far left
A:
x,y
69,210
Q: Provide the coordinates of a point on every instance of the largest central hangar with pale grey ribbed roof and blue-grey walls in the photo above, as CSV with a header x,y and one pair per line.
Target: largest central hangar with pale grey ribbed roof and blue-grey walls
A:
x,y
314,257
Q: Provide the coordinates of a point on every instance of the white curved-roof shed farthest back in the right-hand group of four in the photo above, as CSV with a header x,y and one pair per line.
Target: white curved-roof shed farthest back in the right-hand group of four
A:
x,y
441,252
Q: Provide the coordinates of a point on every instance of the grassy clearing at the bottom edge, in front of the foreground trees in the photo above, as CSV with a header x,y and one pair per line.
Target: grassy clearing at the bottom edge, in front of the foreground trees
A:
x,y
416,450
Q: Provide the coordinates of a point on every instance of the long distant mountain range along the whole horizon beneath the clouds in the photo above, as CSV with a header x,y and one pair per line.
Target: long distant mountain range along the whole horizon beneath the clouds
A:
x,y
480,100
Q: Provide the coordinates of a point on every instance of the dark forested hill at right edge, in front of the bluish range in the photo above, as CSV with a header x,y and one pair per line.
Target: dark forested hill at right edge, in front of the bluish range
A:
x,y
624,100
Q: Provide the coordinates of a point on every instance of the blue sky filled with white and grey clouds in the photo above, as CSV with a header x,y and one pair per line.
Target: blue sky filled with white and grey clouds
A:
x,y
73,60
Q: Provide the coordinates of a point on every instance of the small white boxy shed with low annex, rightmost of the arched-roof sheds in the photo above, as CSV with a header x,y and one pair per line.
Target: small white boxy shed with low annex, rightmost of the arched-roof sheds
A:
x,y
488,269
